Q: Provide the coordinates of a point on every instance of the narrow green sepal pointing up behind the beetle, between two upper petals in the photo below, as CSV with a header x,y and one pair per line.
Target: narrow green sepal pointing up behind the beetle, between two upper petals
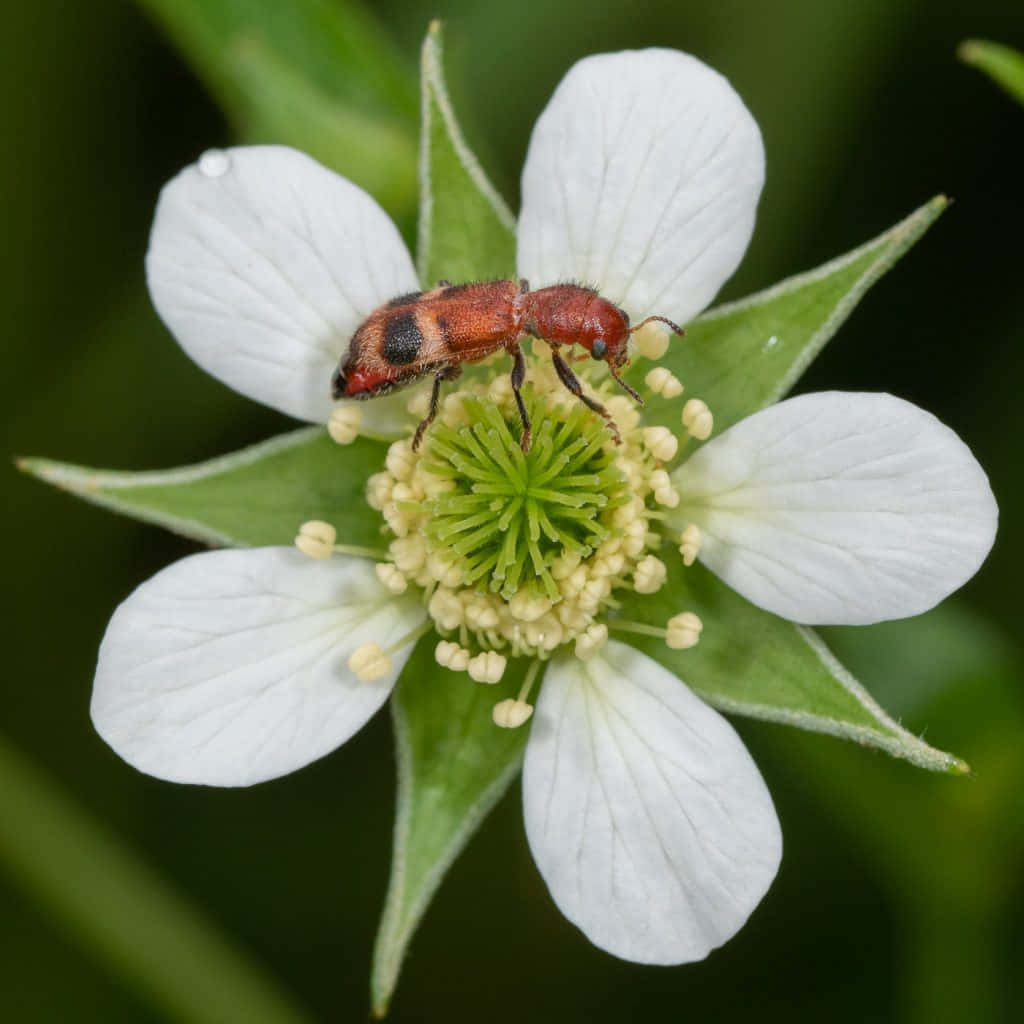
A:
x,y
466,232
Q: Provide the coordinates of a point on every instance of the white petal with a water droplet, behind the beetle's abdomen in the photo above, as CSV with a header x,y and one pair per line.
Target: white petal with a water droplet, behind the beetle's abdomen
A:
x,y
264,264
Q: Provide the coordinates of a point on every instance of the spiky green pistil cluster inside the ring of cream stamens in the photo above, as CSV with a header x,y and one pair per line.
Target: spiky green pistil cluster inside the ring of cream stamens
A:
x,y
509,516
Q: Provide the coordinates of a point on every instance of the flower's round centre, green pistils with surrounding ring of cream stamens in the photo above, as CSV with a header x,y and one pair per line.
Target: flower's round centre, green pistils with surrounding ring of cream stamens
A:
x,y
521,553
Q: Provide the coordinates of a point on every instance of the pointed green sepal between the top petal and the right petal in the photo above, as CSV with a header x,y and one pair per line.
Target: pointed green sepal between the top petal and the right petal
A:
x,y
745,356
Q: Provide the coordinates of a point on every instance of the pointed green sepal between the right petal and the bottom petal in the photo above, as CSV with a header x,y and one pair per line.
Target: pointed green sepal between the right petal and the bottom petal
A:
x,y
752,663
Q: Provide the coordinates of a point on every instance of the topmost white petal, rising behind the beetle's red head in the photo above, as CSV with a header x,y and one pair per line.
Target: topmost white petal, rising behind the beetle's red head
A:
x,y
643,180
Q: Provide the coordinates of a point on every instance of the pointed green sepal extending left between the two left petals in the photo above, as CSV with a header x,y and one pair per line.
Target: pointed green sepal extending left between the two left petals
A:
x,y
258,496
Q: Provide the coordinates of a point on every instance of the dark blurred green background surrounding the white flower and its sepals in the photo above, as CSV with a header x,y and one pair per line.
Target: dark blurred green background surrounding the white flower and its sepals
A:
x,y
902,895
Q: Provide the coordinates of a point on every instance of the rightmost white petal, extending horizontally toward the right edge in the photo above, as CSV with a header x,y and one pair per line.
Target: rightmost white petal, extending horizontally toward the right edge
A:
x,y
840,508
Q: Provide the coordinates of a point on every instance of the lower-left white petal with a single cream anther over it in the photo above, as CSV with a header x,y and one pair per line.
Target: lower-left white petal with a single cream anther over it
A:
x,y
231,667
